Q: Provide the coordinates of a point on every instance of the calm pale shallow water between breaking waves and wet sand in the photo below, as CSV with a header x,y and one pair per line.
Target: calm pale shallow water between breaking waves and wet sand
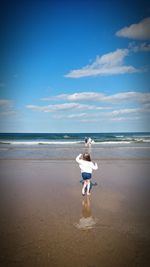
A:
x,y
68,152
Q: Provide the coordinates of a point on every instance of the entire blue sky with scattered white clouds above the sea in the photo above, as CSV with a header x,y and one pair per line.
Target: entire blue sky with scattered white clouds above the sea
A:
x,y
74,66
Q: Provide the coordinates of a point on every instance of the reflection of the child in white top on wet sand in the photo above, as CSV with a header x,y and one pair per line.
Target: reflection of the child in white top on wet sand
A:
x,y
86,221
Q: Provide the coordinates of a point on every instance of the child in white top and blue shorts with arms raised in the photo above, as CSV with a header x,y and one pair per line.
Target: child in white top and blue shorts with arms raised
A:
x,y
86,166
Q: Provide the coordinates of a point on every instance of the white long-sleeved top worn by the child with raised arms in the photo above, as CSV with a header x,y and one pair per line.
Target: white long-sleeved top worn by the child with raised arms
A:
x,y
86,166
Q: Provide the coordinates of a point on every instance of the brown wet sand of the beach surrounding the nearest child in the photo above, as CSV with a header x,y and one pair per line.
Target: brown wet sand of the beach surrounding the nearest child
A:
x,y
45,221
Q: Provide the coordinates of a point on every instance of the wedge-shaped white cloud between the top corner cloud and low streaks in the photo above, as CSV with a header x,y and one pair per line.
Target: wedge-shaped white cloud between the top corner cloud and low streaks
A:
x,y
108,64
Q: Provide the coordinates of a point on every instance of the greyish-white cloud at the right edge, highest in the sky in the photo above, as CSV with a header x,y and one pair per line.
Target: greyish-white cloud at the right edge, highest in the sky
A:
x,y
139,31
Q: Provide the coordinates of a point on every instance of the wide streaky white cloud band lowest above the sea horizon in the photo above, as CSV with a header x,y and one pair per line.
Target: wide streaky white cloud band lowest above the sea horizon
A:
x,y
136,106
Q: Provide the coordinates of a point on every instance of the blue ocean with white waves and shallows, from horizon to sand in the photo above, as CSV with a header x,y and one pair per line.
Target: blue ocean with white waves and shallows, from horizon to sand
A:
x,y
67,145
